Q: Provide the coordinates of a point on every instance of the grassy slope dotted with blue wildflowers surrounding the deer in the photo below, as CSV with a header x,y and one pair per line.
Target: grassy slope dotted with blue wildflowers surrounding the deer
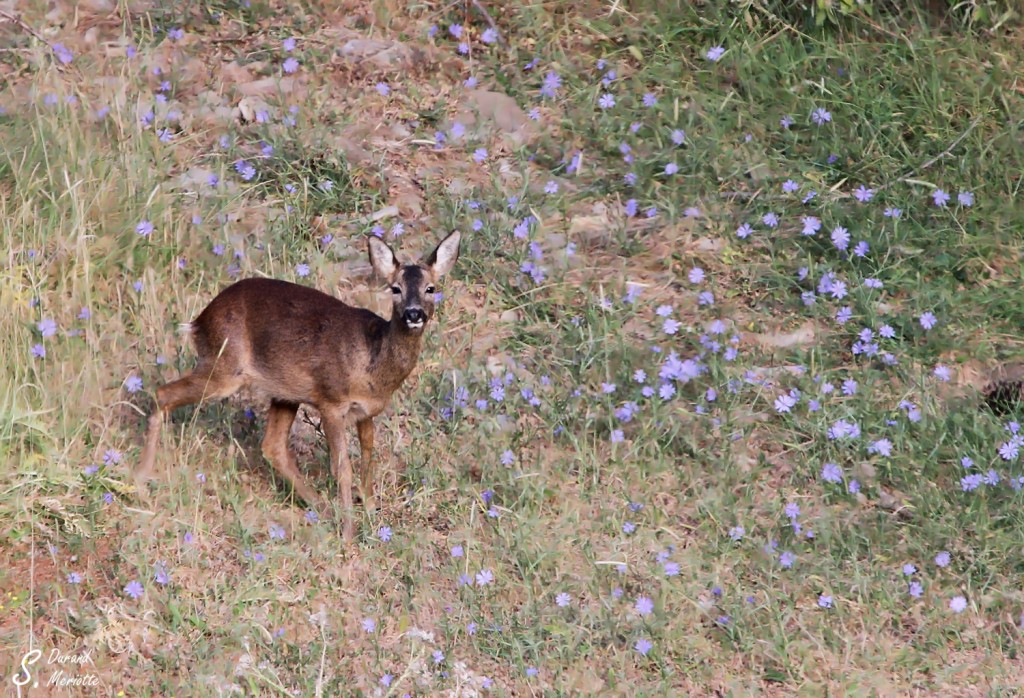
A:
x,y
497,508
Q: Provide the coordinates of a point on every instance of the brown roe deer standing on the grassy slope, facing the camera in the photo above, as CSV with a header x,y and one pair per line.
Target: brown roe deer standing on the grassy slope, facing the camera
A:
x,y
301,345
